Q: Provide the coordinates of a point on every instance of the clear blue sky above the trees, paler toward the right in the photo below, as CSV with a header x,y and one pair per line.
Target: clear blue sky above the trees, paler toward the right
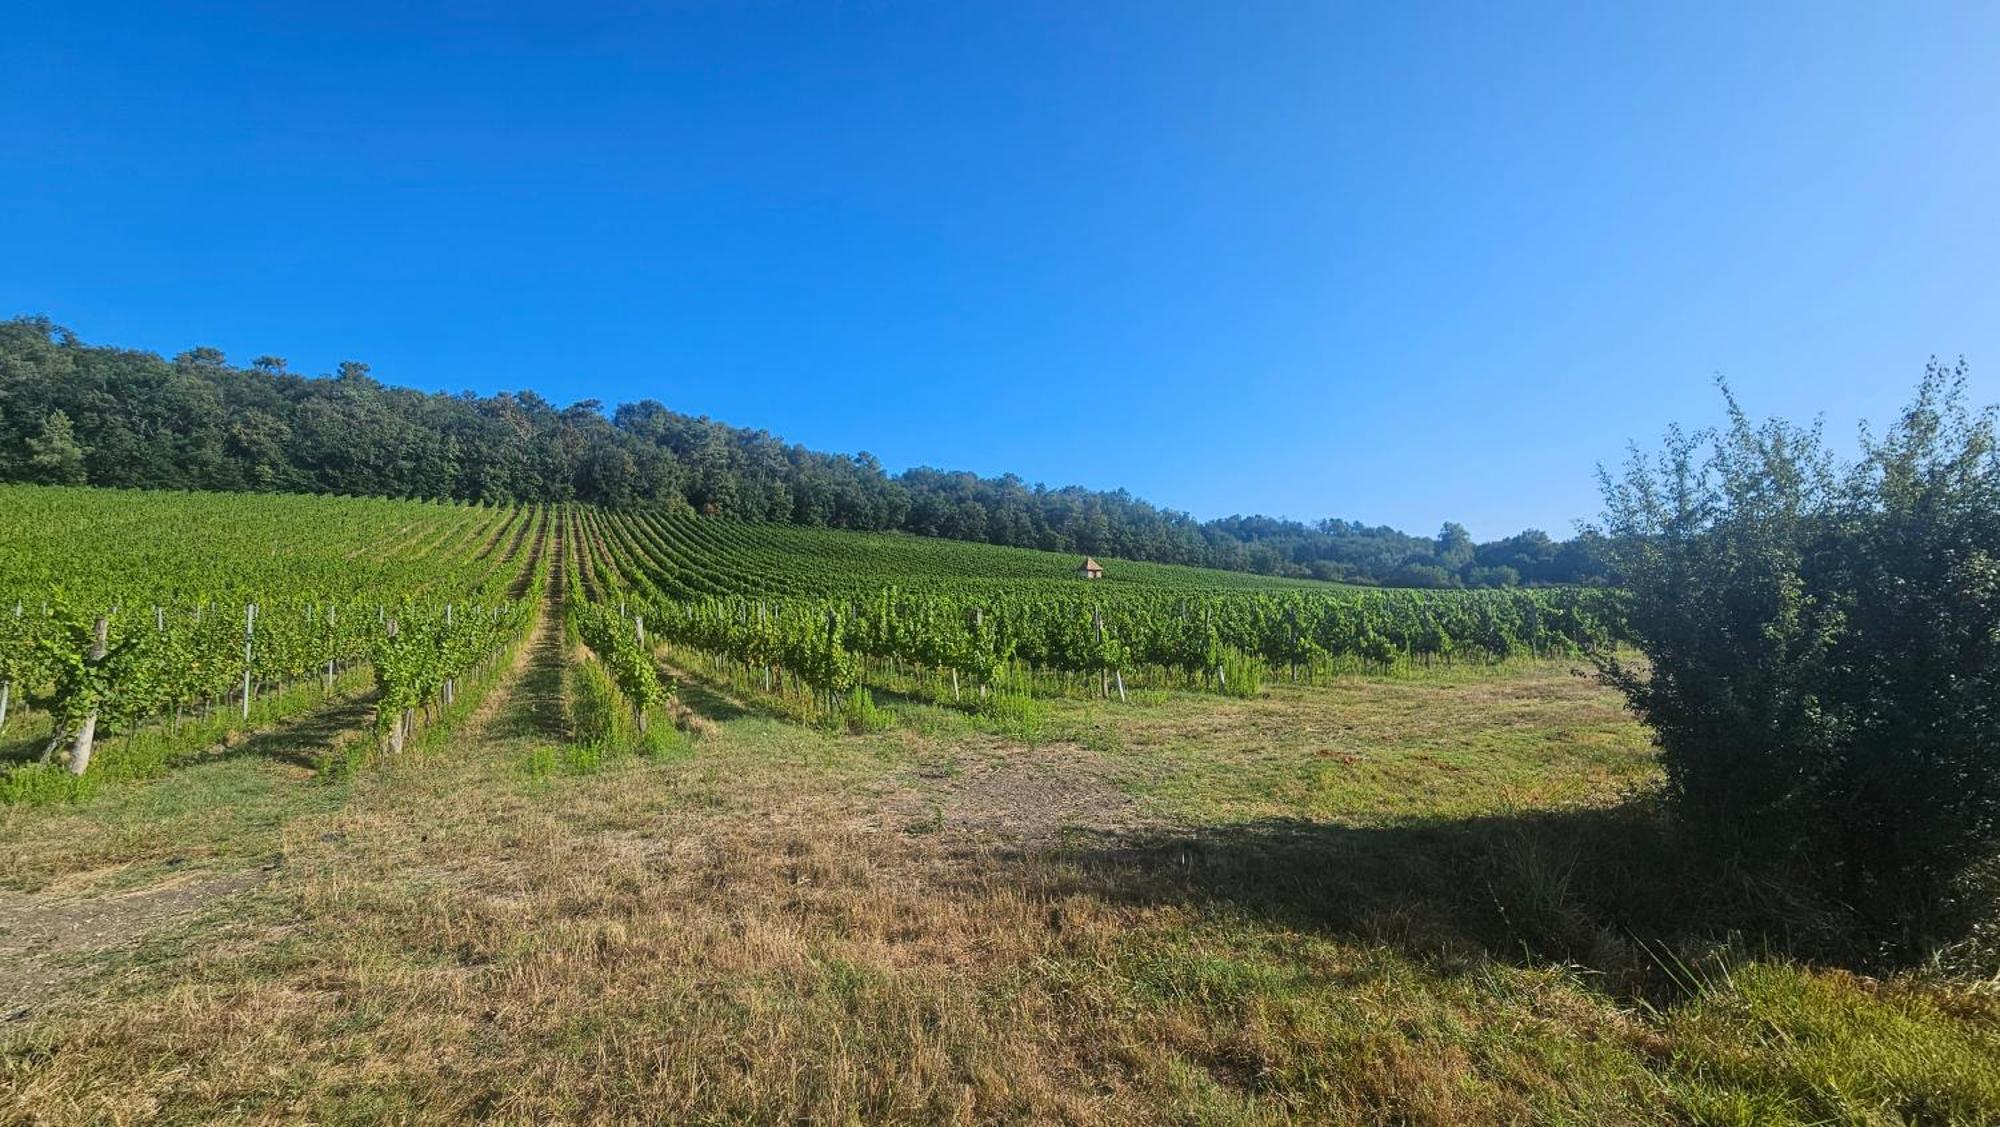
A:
x,y
1387,263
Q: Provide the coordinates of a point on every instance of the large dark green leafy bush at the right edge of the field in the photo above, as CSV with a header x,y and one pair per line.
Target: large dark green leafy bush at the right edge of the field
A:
x,y
1823,646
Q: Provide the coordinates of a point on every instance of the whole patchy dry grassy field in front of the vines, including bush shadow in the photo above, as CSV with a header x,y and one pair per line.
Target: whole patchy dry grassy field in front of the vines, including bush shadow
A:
x,y
1401,900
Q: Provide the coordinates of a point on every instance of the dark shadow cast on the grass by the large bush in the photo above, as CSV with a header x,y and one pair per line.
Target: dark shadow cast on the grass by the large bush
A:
x,y
1605,890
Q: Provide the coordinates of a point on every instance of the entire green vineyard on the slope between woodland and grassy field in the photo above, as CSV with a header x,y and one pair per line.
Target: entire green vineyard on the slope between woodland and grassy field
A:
x,y
163,622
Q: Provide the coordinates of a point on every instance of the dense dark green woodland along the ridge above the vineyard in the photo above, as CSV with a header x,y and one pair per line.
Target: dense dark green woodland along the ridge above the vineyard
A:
x,y
111,417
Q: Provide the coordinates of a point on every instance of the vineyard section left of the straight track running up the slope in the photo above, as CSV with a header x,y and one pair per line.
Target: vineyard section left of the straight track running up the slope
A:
x,y
155,624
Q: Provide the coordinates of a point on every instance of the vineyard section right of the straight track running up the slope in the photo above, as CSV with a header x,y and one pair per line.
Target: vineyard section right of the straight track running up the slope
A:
x,y
817,614
